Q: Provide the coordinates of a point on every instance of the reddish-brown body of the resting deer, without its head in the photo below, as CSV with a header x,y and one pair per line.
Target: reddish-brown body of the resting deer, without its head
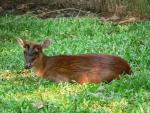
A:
x,y
87,68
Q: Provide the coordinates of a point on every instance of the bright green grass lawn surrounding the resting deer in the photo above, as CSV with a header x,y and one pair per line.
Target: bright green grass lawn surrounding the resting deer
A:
x,y
19,89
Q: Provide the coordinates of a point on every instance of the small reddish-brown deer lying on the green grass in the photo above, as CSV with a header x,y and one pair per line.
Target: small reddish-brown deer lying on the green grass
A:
x,y
81,68
